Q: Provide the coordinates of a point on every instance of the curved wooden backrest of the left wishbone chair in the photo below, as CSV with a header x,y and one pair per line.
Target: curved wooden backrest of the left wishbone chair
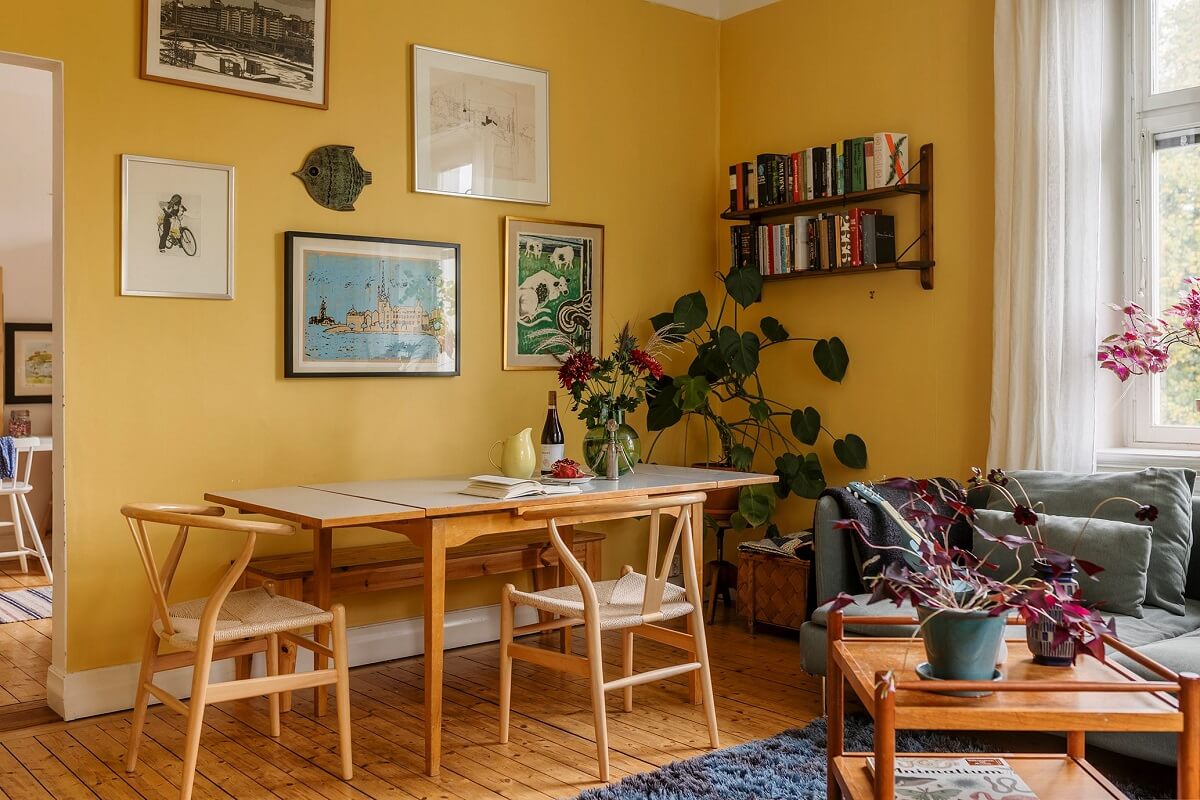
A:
x,y
185,519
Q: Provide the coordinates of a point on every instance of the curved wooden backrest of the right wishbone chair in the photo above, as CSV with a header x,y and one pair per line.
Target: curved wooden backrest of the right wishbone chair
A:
x,y
658,567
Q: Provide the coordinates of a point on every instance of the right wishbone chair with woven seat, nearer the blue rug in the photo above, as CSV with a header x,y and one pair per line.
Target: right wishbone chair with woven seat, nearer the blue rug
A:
x,y
631,604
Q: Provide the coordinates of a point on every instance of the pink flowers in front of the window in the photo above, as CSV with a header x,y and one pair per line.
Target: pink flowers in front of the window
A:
x,y
1144,345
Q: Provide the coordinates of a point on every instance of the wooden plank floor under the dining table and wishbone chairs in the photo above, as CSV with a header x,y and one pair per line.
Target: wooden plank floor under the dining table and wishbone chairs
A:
x,y
760,690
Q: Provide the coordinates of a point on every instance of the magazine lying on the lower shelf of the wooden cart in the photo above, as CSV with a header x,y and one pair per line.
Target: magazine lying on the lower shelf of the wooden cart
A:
x,y
956,779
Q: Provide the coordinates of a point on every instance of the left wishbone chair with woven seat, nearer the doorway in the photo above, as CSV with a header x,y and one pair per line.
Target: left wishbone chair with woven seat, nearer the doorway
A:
x,y
226,625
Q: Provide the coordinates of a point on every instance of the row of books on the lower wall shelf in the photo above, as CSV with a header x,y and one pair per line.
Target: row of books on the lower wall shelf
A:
x,y
825,242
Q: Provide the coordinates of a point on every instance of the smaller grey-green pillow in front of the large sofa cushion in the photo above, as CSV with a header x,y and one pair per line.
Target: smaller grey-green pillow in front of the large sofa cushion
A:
x,y
1123,549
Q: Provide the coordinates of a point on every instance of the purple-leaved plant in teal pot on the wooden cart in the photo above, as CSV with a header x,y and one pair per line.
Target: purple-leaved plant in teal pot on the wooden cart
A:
x,y
943,576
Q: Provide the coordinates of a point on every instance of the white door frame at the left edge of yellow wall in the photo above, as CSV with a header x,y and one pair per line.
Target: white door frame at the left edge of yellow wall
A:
x,y
55,681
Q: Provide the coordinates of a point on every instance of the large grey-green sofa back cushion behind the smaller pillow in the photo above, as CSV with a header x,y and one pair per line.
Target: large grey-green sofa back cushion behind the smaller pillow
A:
x,y
1077,496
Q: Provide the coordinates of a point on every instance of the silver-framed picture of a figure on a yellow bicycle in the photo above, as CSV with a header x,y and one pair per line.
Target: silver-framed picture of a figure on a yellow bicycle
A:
x,y
177,228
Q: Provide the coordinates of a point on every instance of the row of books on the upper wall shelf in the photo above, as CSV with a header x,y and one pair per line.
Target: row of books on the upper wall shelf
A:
x,y
854,166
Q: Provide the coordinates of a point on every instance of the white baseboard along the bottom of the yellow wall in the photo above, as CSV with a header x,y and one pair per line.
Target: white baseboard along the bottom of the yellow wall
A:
x,y
111,689
